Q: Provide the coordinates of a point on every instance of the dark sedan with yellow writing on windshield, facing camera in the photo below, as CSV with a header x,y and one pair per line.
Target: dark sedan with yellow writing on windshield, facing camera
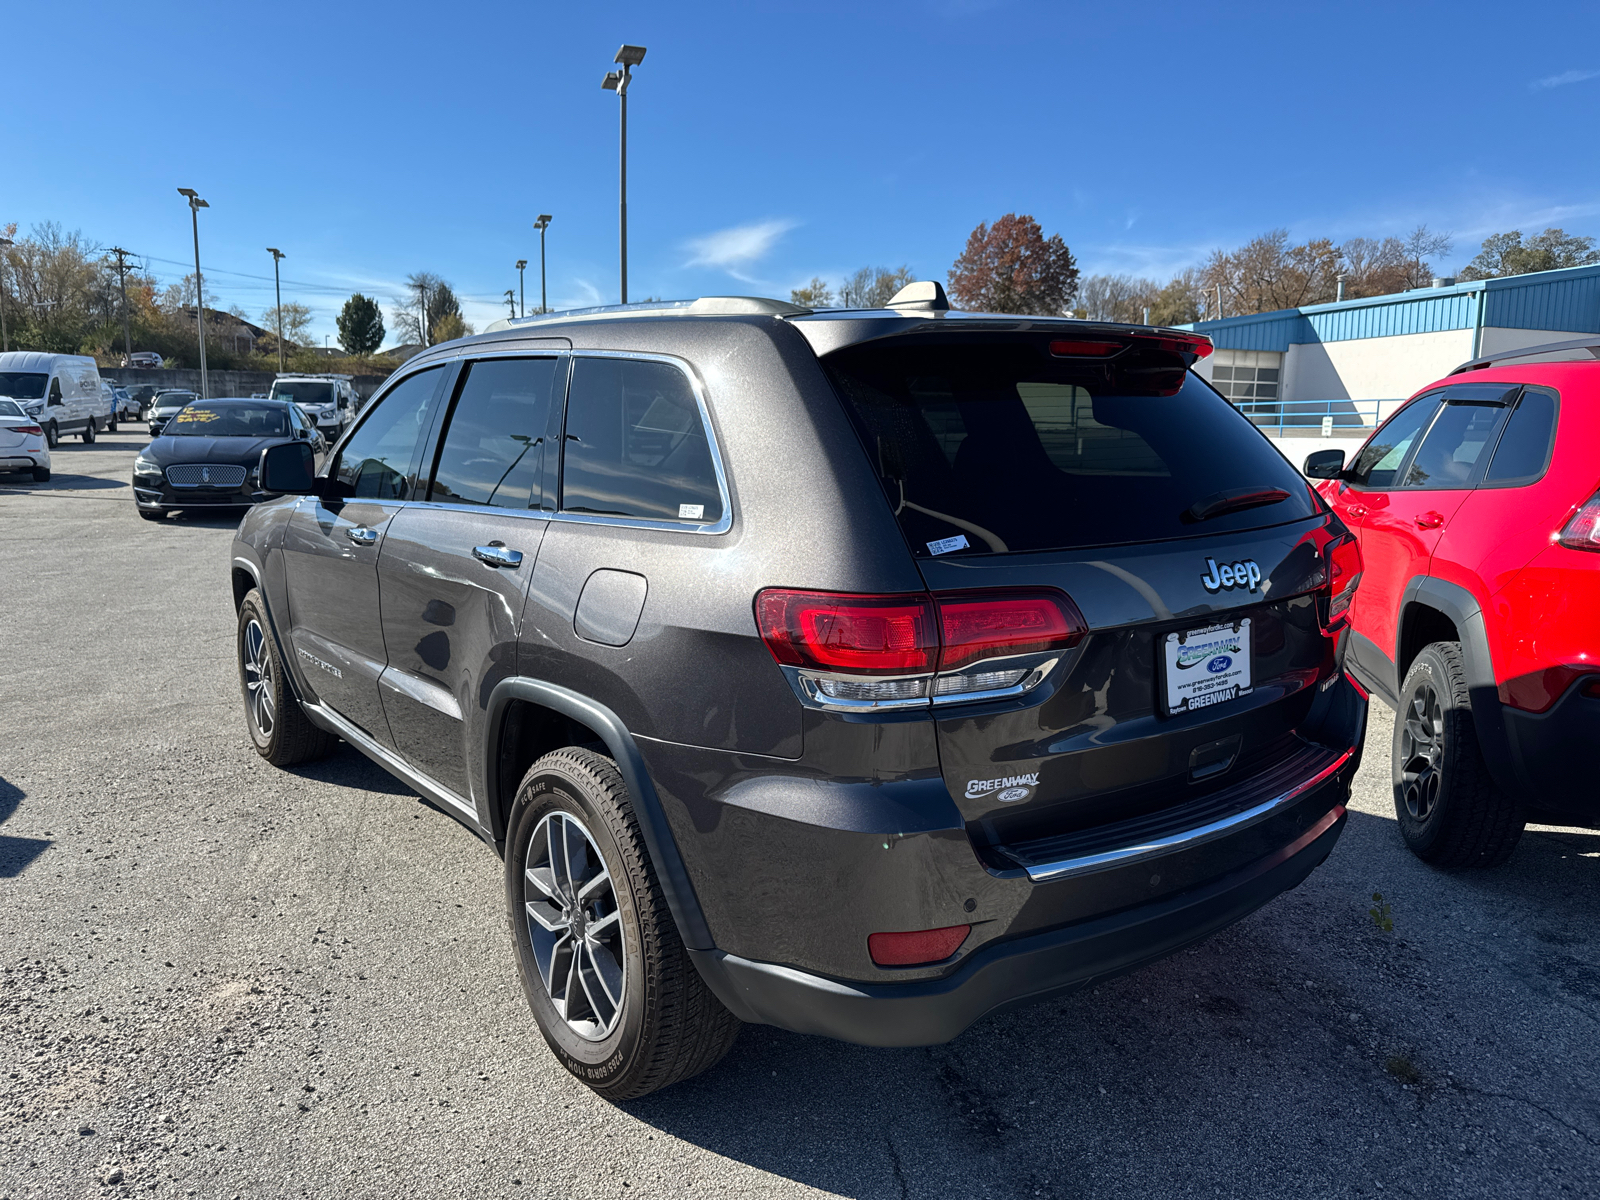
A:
x,y
210,452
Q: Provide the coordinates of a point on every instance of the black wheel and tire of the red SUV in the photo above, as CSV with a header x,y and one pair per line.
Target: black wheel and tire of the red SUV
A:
x,y
1452,812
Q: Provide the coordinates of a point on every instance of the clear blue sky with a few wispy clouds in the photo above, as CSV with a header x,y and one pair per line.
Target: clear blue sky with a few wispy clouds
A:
x,y
774,143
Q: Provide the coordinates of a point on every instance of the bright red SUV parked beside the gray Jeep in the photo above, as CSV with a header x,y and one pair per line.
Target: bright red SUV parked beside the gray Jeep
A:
x,y
1479,612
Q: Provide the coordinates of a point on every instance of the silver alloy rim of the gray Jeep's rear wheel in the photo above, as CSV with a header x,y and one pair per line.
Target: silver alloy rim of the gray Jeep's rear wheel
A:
x,y
575,926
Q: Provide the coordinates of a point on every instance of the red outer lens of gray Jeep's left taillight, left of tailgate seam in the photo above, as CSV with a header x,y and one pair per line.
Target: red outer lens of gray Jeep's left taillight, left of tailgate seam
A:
x,y
855,634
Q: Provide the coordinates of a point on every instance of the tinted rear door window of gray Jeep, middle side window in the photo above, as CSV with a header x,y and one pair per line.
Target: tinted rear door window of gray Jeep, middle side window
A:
x,y
494,450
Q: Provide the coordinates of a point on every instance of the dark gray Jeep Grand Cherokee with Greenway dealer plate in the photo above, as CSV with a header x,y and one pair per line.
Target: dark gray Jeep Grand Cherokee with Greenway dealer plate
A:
x,y
854,673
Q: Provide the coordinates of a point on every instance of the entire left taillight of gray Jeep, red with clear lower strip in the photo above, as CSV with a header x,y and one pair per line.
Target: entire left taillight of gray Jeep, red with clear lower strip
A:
x,y
932,646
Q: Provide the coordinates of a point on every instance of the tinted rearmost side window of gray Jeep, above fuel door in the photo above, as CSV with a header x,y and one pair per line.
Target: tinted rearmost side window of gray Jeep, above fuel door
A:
x,y
636,446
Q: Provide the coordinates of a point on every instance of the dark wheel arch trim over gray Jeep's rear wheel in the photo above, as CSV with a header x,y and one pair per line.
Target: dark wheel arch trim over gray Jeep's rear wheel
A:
x,y
676,884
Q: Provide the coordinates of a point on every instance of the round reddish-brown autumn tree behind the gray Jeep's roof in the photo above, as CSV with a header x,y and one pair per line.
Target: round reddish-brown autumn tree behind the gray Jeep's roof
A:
x,y
1012,266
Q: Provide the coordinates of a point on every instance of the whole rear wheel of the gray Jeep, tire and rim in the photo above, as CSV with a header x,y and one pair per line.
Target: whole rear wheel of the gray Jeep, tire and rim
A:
x,y
666,1025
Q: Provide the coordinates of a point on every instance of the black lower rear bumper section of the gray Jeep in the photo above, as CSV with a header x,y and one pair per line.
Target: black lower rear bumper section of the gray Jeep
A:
x,y
1020,972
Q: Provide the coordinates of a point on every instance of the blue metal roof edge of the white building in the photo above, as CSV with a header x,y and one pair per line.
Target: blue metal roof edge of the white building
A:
x,y
1566,300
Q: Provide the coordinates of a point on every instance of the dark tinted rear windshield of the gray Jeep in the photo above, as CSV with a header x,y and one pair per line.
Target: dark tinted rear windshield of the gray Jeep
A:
x,y
999,447
